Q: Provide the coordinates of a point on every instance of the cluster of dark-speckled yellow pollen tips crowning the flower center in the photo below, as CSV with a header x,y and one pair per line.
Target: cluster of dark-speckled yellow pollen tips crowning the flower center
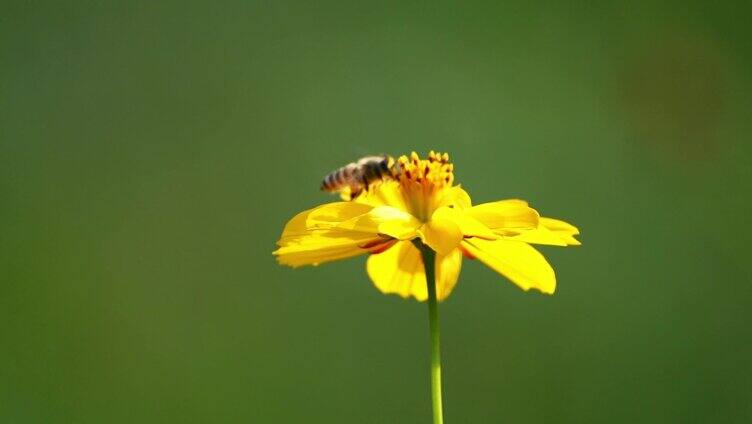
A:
x,y
435,172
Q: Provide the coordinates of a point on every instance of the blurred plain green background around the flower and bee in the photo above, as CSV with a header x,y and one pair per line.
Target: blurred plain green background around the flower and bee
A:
x,y
151,152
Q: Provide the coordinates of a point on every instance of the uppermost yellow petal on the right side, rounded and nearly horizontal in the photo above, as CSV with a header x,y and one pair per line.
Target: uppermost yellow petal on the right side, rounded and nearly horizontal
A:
x,y
510,214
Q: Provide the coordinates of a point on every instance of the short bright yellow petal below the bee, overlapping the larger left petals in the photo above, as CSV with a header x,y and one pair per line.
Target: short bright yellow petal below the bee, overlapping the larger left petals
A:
x,y
384,220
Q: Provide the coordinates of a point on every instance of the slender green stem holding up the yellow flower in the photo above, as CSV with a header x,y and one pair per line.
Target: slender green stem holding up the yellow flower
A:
x,y
429,262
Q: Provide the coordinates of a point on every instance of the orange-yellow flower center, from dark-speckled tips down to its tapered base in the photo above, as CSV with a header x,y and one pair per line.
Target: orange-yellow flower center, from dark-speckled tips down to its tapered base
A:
x,y
423,181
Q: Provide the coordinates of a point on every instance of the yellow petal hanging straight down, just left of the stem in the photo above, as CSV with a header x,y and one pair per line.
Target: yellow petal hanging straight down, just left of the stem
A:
x,y
399,270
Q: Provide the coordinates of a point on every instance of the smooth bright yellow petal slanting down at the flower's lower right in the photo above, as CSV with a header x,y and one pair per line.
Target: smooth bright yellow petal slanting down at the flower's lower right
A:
x,y
517,261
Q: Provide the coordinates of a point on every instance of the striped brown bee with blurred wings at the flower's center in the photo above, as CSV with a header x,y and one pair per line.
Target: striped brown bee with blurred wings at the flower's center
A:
x,y
358,176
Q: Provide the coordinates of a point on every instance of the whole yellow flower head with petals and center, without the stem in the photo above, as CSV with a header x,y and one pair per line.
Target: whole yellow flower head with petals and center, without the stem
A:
x,y
423,203
